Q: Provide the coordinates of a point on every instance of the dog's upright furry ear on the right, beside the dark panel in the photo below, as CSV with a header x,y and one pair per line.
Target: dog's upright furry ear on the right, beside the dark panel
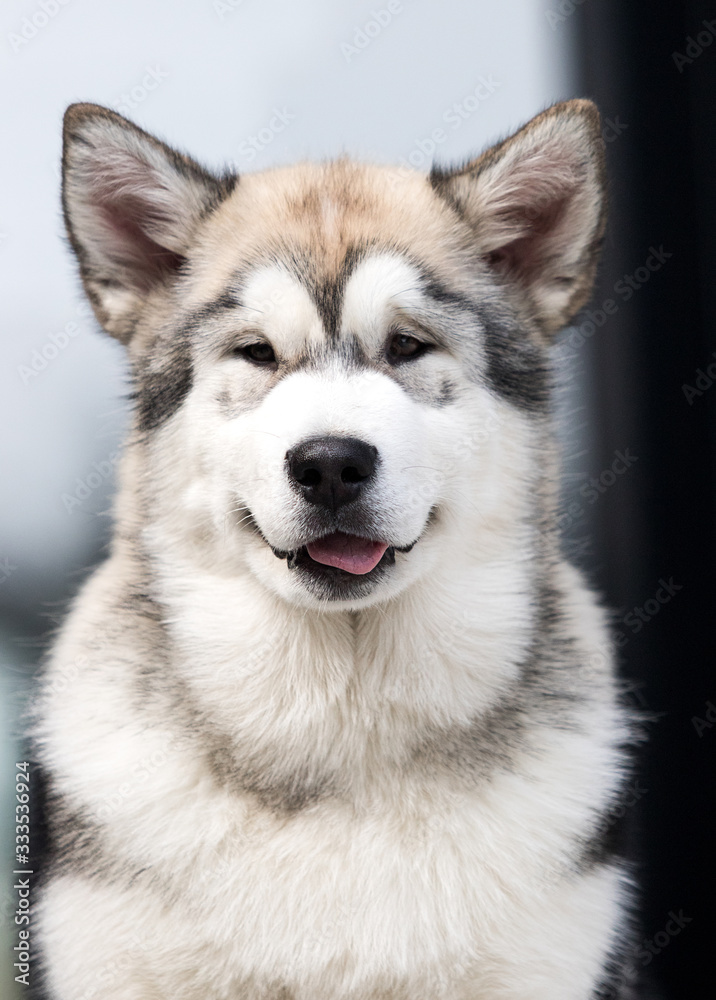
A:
x,y
536,203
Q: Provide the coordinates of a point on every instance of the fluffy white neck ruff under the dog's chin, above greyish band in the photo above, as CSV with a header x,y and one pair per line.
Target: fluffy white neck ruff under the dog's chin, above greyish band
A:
x,y
337,693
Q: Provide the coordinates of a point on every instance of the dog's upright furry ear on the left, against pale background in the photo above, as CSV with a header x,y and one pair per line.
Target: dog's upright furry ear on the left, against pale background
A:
x,y
132,205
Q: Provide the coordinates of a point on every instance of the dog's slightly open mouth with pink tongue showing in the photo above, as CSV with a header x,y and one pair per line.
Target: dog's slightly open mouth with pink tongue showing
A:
x,y
341,553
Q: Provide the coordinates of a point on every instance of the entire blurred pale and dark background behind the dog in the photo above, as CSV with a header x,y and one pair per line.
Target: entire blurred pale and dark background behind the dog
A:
x,y
249,85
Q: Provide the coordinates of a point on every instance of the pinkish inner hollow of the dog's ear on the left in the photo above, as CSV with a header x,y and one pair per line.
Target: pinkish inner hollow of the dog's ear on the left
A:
x,y
132,208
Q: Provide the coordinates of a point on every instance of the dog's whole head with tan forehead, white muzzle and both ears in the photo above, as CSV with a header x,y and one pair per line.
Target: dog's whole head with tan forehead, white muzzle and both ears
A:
x,y
340,369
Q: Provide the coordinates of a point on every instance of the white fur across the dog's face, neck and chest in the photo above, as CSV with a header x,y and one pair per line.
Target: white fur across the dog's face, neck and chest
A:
x,y
405,878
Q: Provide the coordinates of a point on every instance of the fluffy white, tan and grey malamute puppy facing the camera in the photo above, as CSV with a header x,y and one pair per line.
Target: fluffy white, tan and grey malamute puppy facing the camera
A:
x,y
336,719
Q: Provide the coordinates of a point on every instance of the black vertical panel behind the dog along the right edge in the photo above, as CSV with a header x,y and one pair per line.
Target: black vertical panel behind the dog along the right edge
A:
x,y
659,524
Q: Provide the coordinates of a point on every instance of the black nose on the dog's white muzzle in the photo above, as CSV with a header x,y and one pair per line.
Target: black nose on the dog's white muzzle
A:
x,y
331,471
